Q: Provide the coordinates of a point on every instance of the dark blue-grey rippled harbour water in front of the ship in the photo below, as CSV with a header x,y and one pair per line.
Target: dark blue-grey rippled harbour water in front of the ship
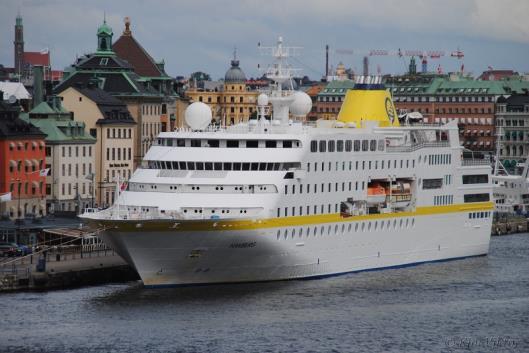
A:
x,y
477,304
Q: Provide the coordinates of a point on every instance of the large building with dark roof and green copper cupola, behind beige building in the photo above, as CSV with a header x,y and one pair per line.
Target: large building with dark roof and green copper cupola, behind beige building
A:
x,y
117,77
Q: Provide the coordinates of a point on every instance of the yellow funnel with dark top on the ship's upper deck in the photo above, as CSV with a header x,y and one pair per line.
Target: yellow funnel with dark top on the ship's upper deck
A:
x,y
368,102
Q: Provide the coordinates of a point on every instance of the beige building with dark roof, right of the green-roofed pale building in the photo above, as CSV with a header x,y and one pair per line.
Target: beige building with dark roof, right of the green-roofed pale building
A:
x,y
109,121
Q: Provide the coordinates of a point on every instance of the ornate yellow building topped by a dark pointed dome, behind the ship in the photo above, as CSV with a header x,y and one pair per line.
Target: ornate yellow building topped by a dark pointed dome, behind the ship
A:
x,y
231,101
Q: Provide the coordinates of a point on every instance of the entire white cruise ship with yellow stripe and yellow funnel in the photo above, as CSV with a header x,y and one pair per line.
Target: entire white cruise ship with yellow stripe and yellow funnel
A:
x,y
278,199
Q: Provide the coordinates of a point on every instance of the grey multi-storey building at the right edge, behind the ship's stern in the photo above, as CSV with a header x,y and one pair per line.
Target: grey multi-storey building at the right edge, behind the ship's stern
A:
x,y
512,122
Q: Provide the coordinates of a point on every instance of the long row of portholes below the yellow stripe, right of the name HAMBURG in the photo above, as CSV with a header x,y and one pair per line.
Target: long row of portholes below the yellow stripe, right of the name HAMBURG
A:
x,y
370,226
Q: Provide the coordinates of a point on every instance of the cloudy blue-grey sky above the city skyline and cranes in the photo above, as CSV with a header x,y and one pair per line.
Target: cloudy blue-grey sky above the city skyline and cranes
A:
x,y
201,34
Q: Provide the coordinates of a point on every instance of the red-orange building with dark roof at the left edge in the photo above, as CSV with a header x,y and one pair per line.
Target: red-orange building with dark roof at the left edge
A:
x,y
22,158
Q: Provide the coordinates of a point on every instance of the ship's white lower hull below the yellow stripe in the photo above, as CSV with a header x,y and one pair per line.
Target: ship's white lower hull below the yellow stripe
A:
x,y
165,258
